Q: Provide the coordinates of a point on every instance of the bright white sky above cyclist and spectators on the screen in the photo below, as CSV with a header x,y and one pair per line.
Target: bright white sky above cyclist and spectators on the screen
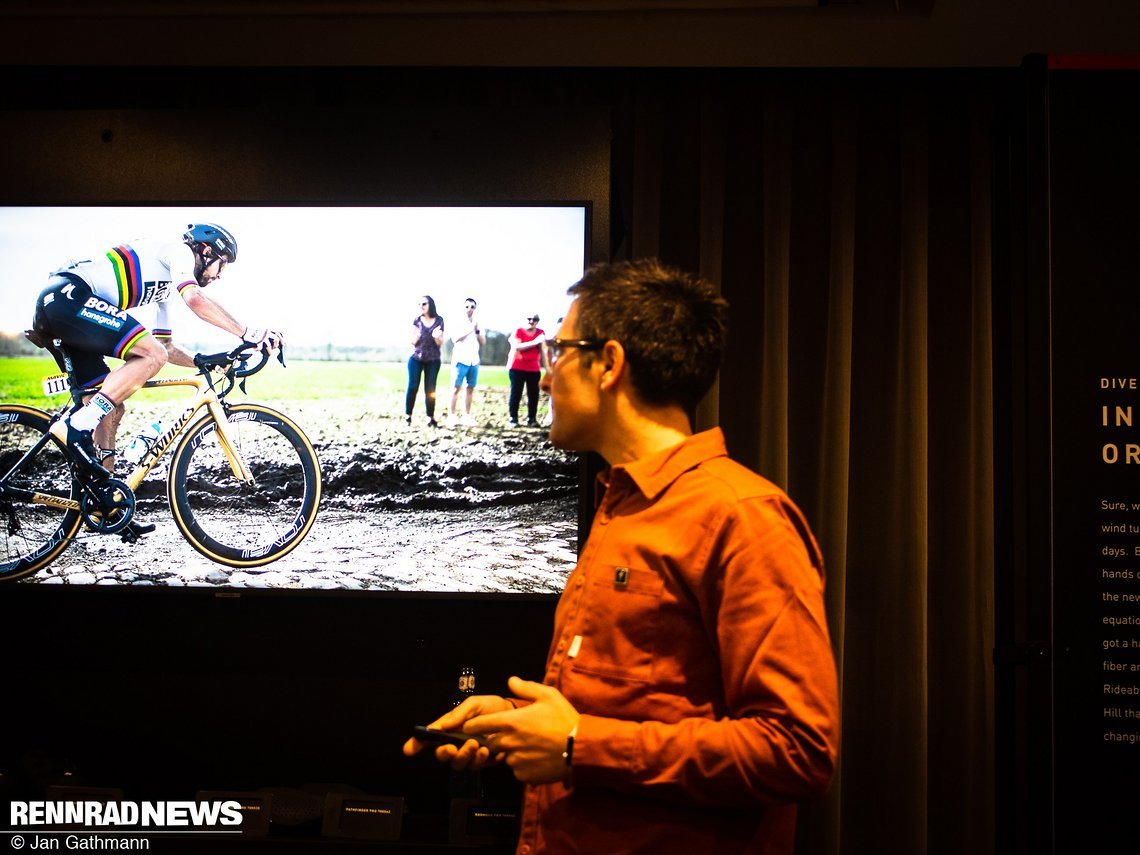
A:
x,y
341,275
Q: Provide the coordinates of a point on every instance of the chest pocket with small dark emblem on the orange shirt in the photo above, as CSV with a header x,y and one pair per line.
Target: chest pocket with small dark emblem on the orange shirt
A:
x,y
622,625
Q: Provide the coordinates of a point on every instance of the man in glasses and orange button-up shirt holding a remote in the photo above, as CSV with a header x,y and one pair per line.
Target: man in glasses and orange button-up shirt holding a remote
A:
x,y
690,697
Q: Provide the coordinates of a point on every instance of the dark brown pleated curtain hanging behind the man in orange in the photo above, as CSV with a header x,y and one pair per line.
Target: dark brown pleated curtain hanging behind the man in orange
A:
x,y
846,216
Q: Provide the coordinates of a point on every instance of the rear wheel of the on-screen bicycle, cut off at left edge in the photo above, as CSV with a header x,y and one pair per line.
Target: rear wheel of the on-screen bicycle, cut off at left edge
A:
x,y
32,535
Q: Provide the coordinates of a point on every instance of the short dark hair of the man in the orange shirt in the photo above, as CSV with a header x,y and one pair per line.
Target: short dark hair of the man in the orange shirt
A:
x,y
671,324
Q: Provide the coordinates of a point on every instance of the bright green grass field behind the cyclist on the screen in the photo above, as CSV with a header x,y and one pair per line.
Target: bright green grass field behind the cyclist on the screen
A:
x,y
21,381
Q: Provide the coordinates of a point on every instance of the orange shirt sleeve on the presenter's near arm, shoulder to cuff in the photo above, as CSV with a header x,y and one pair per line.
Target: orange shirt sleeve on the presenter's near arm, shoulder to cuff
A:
x,y
761,599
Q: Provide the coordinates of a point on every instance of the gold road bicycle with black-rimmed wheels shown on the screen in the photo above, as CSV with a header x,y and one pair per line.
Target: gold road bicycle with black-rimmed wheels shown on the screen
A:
x,y
243,483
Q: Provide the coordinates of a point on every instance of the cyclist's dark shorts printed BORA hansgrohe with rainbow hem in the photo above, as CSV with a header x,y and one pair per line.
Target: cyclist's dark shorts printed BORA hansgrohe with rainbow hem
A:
x,y
88,325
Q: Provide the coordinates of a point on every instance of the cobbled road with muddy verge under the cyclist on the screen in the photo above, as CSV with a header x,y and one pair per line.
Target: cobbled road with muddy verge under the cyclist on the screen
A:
x,y
454,509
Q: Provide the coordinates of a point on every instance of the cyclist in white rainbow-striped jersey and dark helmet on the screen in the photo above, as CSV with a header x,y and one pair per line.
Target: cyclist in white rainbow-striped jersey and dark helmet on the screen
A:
x,y
86,307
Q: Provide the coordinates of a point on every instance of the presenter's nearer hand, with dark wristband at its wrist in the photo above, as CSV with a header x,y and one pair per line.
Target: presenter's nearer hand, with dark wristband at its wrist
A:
x,y
533,738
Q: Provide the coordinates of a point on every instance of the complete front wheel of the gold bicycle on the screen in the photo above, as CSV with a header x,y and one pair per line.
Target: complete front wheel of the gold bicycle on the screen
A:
x,y
246,524
